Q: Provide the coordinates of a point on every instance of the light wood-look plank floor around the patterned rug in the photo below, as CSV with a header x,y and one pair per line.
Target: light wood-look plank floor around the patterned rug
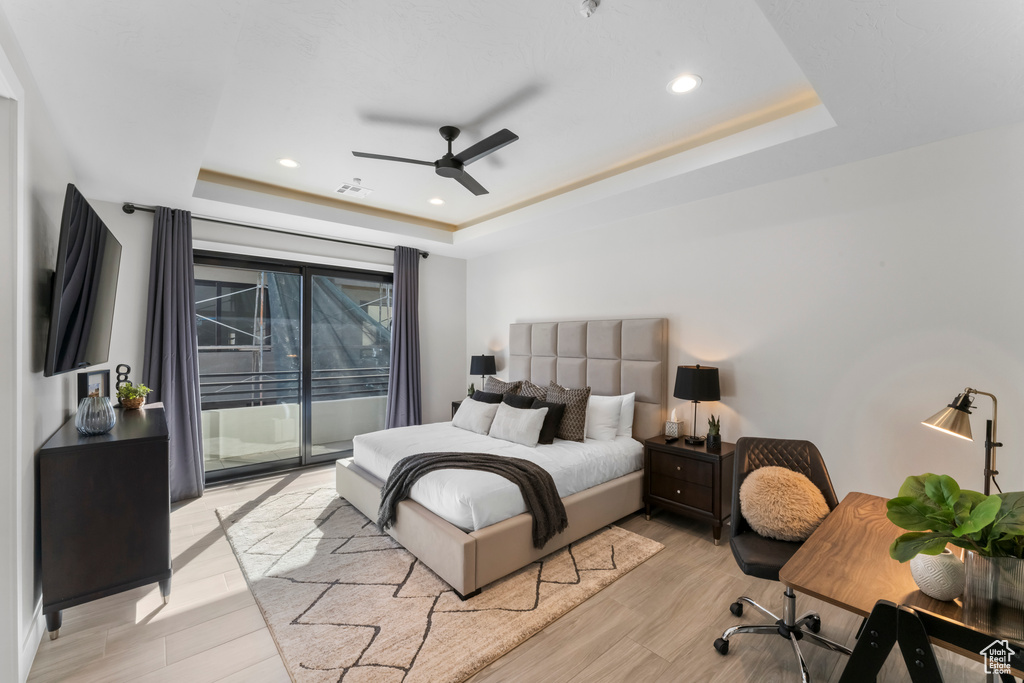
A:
x,y
656,624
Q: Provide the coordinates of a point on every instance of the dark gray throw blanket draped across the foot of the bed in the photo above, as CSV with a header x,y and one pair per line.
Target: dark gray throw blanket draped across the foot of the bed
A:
x,y
538,488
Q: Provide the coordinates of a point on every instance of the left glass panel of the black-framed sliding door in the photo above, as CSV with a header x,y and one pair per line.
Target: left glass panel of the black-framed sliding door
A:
x,y
249,324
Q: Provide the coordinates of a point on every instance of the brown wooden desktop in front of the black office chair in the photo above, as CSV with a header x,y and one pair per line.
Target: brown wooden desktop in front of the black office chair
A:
x,y
846,564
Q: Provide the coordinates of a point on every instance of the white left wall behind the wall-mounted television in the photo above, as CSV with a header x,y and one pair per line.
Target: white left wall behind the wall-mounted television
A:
x,y
44,172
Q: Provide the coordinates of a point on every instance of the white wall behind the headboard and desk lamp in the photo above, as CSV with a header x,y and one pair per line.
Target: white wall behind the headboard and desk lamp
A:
x,y
842,307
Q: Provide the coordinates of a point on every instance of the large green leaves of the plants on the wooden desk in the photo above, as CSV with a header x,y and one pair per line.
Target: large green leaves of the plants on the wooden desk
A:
x,y
936,511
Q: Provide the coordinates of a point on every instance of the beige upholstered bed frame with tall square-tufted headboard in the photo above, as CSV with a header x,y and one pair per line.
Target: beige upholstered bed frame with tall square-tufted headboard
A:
x,y
613,358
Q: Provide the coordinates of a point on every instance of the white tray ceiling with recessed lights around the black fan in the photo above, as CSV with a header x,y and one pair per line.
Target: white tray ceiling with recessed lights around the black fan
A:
x,y
147,95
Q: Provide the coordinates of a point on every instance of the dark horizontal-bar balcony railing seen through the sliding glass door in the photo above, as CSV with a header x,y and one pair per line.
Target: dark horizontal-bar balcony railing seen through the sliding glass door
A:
x,y
241,390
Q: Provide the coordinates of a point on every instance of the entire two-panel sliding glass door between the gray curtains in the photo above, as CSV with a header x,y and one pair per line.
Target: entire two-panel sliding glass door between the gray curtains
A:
x,y
293,362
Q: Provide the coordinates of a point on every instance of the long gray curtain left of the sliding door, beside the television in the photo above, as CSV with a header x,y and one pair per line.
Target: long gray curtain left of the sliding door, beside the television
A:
x,y
170,366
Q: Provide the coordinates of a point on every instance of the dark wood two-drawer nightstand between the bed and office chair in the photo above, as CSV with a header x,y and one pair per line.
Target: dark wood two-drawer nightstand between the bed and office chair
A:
x,y
690,481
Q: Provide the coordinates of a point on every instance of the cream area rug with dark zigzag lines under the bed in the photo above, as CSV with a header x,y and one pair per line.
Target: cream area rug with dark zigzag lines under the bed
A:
x,y
346,603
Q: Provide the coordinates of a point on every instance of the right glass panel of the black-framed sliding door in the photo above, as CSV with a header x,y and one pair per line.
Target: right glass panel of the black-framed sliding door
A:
x,y
351,350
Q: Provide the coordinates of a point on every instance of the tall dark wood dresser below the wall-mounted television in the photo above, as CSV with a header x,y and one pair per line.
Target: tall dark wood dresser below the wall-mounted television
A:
x,y
105,513
